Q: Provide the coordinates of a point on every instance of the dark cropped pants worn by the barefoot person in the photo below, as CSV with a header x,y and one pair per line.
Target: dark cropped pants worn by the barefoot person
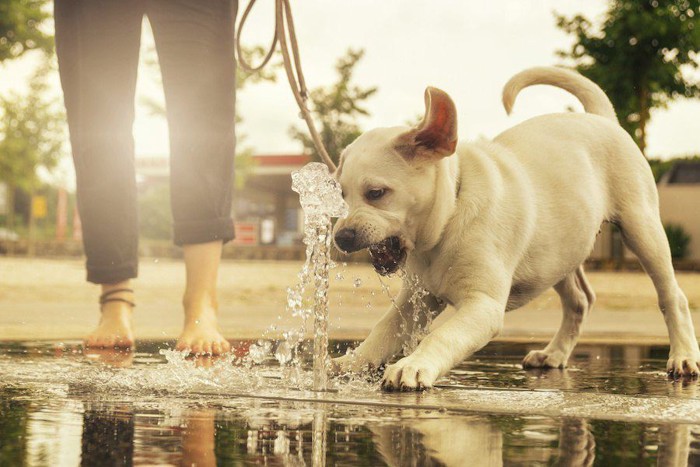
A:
x,y
97,43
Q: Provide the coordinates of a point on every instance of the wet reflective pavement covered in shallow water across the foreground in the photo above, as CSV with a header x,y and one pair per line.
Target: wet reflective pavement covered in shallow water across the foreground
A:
x,y
614,406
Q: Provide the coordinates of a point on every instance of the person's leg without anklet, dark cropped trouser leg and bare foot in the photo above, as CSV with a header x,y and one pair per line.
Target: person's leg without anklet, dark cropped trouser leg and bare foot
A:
x,y
194,39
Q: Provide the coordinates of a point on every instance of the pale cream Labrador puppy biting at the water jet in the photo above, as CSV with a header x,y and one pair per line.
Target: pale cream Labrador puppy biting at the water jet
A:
x,y
495,225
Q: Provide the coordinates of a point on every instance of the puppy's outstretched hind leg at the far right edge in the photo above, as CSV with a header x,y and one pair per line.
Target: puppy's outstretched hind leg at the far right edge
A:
x,y
644,234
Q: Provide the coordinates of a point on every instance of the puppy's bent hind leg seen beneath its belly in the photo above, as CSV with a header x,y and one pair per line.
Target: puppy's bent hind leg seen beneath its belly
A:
x,y
577,298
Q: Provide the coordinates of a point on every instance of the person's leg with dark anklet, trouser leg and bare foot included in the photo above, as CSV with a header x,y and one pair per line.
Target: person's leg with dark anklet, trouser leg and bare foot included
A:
x,y
97,43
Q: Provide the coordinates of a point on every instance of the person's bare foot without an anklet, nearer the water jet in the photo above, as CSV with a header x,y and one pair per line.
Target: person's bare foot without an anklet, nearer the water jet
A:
x,y
201,335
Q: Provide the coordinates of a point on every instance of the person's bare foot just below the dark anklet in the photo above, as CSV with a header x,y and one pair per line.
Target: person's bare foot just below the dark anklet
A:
x,y
114,330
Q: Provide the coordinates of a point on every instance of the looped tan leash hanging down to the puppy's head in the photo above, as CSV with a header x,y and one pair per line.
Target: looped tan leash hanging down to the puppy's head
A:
x,y
283,23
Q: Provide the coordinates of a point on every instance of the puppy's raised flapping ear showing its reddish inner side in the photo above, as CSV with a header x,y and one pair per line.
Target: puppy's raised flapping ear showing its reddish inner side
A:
x,y
436,136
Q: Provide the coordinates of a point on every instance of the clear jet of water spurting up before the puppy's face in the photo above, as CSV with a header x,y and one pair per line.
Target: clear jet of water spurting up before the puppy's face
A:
x,y
321,199
